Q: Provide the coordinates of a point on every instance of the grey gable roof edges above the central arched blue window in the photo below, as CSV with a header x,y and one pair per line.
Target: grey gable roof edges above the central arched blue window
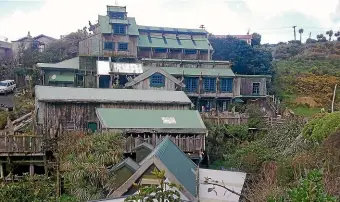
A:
x,y
149,73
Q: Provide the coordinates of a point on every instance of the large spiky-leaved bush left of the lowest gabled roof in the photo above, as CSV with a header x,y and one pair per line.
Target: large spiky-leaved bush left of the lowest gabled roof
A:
x,y
84,162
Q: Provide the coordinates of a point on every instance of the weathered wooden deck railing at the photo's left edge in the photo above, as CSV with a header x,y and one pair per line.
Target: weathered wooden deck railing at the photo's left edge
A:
x,y
21,144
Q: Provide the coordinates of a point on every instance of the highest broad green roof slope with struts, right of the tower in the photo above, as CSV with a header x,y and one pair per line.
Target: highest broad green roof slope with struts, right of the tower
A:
x,y
172,42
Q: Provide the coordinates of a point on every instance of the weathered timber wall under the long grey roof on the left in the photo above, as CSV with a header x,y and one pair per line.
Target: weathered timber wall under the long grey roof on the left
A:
x,y
75,116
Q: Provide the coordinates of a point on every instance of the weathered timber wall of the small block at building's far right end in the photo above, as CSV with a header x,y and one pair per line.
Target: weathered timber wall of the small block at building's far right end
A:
x,y
246,85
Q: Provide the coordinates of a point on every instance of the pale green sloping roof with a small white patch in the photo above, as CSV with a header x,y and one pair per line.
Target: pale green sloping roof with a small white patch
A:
x,y
189,120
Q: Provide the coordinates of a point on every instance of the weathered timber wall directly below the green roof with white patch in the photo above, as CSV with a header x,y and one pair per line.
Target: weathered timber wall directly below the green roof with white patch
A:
x,y
186,142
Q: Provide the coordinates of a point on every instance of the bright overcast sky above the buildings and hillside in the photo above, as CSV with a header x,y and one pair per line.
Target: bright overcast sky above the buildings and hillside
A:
x,y
273,19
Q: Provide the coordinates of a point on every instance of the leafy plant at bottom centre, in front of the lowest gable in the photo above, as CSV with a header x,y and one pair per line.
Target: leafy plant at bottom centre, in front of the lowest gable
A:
x,y
164,191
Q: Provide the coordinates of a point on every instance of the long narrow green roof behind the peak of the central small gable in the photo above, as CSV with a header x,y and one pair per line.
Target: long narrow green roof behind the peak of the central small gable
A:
x,y
227,72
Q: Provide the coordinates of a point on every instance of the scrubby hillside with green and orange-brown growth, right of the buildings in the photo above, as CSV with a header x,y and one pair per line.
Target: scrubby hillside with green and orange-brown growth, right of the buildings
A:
x,y
305,75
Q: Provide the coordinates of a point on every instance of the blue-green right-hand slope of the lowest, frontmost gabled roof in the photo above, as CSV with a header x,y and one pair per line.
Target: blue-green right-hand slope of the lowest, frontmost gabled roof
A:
x,y
177,162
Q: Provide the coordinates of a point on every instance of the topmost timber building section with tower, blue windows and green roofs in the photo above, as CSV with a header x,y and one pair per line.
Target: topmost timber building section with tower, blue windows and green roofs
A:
x,y
118,36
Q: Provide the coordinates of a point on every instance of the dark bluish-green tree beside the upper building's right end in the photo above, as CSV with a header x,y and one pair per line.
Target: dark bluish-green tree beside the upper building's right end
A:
x,y
246,59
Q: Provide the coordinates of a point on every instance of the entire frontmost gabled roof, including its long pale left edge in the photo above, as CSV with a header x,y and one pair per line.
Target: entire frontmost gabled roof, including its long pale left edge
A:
x,y
181,171
